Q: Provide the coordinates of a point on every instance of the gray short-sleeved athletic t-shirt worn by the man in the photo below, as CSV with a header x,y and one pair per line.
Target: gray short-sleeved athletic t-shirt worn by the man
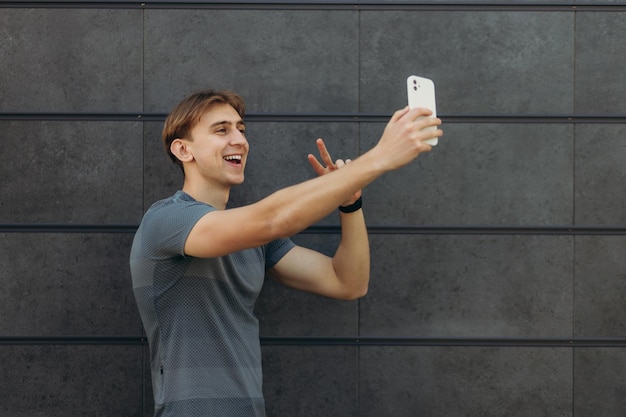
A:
x,y
198,315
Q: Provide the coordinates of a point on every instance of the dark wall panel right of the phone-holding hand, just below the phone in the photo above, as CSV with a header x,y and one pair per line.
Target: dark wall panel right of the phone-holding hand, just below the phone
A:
x,y
480,174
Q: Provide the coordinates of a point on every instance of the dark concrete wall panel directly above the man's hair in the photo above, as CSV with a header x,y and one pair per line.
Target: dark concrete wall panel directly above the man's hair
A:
x,y
280,60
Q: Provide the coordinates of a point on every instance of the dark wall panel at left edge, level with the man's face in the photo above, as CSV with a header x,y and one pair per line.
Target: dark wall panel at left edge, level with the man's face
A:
x,y
71,172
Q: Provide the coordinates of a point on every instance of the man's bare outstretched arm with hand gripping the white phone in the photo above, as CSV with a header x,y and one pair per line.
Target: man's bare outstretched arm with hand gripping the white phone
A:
x,y
292,209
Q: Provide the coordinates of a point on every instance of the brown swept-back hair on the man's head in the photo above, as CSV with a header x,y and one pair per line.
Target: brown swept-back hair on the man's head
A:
x,y
188,112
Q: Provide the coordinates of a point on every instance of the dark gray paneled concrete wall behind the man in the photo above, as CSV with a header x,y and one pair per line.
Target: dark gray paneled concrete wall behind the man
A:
x,y
498,277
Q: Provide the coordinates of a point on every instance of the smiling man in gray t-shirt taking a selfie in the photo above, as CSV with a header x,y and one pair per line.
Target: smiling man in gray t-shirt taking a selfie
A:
x,y
198,267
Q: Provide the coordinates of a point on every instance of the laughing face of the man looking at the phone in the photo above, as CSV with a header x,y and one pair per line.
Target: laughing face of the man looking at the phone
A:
x,y
219,145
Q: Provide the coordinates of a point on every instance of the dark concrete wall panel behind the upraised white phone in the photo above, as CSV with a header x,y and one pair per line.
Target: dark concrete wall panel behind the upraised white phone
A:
x,y
482,62
